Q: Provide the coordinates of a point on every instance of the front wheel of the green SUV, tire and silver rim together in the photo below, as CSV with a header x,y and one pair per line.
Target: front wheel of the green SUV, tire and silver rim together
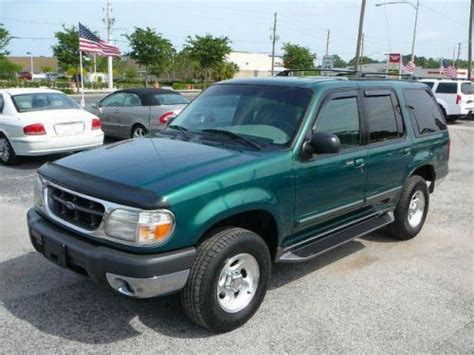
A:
x,y
228,280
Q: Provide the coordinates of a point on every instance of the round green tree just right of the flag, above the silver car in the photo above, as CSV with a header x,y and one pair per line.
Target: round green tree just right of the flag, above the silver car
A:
x,y
151,50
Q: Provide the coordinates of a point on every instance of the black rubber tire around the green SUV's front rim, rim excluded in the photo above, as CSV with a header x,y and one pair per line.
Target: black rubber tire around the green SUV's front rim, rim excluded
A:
x,y
200,296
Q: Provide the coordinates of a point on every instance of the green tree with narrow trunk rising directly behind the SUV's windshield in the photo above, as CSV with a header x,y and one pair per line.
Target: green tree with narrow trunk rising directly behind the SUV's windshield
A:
x,y
208,51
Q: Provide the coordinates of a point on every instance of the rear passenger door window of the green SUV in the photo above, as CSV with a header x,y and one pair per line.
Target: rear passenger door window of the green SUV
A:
x,y
381,118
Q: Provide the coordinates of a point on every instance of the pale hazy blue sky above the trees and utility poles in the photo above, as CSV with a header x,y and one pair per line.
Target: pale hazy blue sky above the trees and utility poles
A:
x,y
441,24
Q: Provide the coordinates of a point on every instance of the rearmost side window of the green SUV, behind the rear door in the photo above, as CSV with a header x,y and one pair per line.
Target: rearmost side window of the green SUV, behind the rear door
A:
x,y
424,111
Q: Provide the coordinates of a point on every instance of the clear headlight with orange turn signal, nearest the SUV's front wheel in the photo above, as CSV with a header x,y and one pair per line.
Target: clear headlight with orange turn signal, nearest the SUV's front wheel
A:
x,y
141,227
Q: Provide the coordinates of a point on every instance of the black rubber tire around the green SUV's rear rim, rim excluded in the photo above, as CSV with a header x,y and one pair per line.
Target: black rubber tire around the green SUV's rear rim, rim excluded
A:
x,y
401,228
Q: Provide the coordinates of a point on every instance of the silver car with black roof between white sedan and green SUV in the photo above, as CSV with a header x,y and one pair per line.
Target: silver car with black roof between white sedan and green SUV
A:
x,y
133,112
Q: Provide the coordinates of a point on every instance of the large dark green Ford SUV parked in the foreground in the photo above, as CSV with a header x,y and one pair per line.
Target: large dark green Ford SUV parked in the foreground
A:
x,y
253,171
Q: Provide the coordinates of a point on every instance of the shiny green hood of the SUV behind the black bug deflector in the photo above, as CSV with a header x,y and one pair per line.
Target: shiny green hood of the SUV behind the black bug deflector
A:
x,y
155,164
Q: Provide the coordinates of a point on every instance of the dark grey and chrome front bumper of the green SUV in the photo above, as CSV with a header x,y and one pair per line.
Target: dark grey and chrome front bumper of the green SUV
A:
x,y
135,275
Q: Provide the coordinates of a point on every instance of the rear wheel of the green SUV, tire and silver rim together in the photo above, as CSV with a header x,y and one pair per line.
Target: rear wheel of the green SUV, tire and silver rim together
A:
x,y
412,209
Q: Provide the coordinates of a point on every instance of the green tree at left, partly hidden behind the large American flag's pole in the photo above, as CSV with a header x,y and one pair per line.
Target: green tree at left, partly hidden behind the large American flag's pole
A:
x,y
66,50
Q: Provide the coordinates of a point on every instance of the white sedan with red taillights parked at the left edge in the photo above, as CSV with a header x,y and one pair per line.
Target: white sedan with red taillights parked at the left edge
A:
x,y
44,121
